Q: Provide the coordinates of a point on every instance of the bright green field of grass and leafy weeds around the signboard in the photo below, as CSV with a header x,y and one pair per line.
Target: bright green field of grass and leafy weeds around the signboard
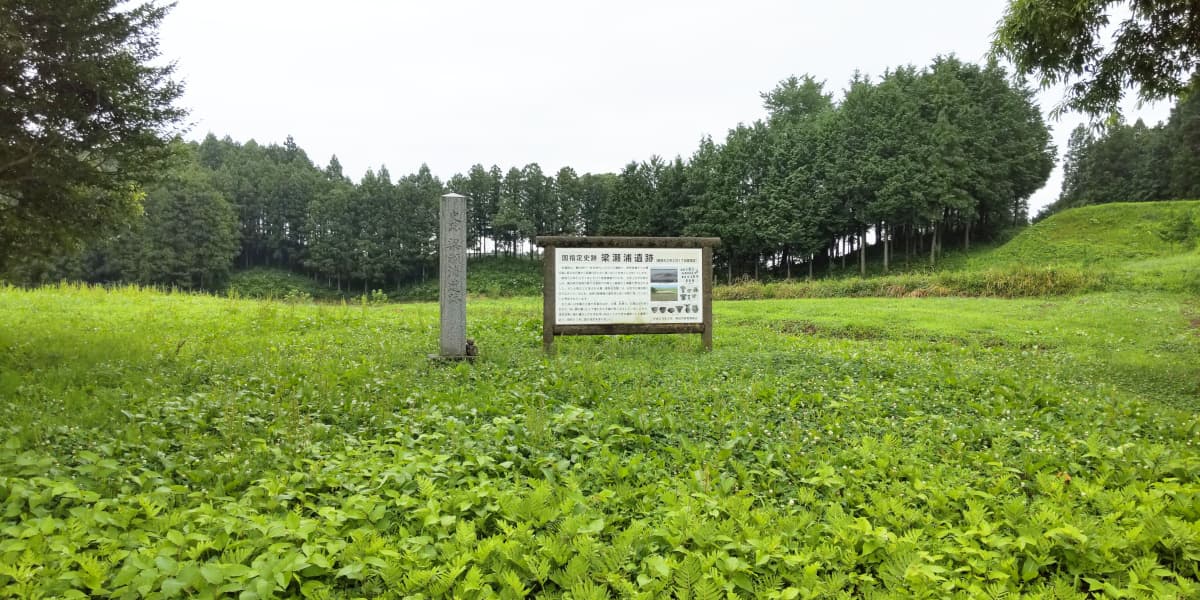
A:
x,y
177,445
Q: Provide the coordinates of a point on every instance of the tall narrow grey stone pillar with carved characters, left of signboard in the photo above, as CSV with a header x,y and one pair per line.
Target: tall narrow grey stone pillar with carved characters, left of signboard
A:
x,y
453,279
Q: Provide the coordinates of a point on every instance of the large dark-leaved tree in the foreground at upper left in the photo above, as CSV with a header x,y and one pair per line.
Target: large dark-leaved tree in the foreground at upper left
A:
x,y
87,112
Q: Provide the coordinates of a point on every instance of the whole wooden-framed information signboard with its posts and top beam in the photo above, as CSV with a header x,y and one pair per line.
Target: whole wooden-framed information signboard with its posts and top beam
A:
x,y
610,286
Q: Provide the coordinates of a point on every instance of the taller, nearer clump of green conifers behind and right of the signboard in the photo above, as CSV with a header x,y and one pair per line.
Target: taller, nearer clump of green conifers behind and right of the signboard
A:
x,y
952,149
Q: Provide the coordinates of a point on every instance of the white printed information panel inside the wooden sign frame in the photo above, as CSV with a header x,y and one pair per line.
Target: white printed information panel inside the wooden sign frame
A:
x,y
628,286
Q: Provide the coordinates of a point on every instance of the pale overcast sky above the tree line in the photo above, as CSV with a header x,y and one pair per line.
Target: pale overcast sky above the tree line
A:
x,y
591,86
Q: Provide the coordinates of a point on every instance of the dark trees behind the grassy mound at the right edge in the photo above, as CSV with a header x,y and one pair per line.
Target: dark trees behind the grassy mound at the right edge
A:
x,y
1124,163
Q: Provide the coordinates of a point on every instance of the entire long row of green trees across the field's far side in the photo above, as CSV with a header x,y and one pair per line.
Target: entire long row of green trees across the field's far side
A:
x,y
901,164
